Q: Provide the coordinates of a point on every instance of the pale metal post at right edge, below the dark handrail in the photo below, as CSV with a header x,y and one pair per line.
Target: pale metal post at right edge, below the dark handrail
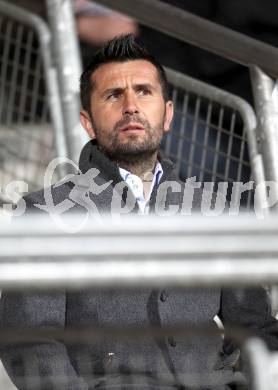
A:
x,y
267,117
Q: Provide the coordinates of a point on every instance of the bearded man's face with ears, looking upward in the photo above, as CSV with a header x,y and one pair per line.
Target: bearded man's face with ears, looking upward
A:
x,y
128,113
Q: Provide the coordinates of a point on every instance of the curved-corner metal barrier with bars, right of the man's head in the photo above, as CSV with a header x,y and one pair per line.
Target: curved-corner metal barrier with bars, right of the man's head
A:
x,y
214,135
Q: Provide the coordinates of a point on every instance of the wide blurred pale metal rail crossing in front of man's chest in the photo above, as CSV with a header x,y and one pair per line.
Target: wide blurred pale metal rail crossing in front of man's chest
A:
x,y
157,252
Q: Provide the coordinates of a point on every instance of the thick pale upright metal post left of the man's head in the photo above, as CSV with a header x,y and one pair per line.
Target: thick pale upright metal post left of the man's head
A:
x,y
67,56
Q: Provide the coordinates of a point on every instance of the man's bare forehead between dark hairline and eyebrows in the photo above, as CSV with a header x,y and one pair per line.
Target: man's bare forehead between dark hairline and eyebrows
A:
x,y
119,73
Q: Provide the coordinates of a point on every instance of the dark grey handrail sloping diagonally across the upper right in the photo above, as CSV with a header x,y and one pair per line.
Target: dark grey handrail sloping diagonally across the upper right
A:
x,y
200,32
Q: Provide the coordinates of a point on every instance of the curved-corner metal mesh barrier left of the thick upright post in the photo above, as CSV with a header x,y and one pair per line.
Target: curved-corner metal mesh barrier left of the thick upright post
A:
x,y
31,121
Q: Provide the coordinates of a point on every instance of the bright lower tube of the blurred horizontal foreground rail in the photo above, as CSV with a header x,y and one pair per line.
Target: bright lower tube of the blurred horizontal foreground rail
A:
x,y
147,273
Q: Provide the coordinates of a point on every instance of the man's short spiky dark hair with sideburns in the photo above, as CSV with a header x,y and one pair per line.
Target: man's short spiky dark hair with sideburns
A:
x,y
120,49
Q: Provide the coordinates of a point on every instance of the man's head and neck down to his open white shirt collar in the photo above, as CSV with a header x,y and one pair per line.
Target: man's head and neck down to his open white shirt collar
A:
x,y
127,112
